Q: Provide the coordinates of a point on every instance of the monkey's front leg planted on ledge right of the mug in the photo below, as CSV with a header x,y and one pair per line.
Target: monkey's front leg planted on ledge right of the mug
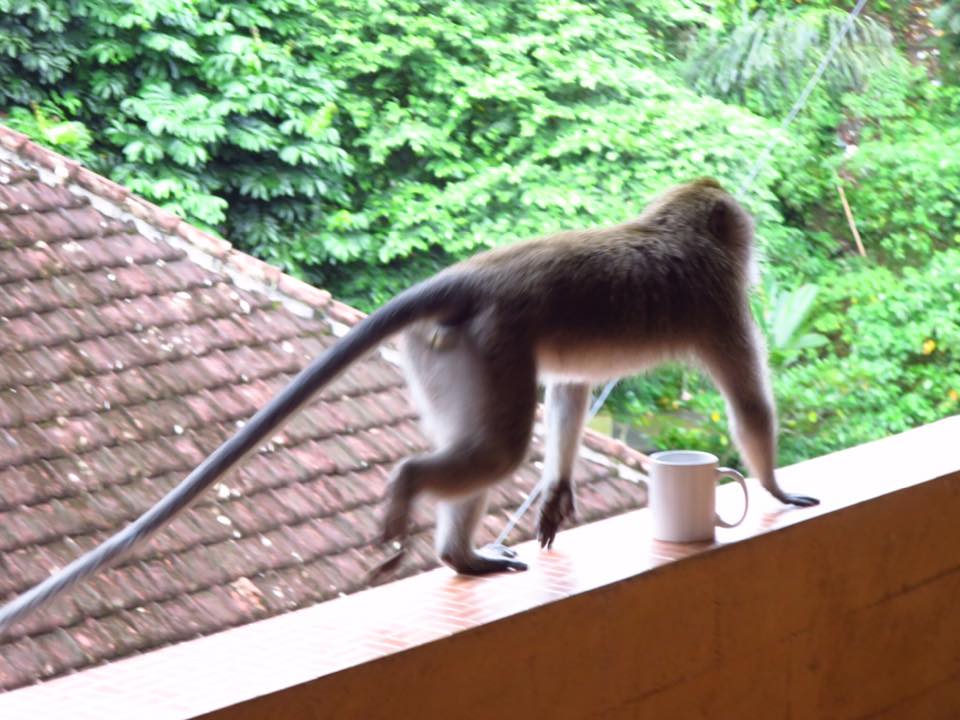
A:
x,y
735,362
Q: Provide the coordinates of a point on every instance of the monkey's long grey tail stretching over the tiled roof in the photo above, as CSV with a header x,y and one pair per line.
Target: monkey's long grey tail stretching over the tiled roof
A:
x,y
443,295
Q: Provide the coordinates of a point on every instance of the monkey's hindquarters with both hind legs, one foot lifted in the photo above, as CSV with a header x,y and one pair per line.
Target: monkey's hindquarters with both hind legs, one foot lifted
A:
x,y
478,408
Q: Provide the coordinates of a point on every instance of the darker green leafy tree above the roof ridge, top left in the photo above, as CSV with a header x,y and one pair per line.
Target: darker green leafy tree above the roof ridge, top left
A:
x,y
218,112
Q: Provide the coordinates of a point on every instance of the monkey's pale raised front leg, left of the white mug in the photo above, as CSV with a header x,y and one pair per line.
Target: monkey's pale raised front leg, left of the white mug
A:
x,y
565,413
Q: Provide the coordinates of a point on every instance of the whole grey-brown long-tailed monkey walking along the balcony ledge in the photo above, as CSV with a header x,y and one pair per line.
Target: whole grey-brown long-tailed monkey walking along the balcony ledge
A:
x,y
569,310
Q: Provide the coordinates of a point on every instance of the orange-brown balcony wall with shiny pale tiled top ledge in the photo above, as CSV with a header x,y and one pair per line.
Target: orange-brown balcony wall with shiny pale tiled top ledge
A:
x,y
847,610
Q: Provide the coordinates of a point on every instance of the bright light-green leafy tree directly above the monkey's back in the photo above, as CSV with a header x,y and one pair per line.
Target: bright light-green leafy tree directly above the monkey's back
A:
x,y
483,123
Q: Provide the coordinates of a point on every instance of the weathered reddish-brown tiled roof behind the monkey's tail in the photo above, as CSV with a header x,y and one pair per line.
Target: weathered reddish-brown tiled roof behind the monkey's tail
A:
x,y
128,351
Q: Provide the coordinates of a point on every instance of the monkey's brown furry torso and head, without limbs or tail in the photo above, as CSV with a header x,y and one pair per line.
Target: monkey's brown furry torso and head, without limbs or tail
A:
x,y
619,298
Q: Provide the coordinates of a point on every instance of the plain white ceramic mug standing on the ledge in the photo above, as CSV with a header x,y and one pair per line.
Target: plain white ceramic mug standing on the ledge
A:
x,y
683,495
